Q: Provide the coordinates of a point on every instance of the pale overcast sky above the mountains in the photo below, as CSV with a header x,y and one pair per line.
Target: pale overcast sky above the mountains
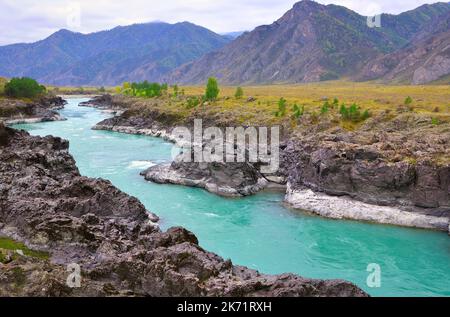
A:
x,y
31,20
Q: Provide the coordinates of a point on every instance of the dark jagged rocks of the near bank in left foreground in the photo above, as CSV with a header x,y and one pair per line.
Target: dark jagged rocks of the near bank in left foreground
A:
x,y
47,204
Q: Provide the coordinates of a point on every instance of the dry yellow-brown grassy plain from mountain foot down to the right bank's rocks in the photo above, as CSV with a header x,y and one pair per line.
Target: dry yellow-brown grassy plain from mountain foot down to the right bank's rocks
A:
x,y
432,101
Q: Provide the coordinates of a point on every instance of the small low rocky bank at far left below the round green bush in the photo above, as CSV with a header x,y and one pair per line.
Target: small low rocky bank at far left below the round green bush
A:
x,y
14,111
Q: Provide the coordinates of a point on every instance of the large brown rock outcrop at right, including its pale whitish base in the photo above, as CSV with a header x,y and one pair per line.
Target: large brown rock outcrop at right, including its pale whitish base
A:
x,y
398,173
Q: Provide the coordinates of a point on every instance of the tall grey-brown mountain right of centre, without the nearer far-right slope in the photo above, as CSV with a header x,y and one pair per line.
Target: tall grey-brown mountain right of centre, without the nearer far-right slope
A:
x,y
313,42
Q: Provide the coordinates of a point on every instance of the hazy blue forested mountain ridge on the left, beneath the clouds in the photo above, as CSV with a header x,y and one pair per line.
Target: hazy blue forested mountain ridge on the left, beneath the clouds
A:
x,y
136,52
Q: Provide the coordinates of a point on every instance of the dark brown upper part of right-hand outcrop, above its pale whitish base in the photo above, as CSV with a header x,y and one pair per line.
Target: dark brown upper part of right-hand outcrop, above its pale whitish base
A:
x,y
400,163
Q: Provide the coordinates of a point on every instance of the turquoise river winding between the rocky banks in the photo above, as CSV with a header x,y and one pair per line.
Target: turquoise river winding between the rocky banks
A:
x,y
258,232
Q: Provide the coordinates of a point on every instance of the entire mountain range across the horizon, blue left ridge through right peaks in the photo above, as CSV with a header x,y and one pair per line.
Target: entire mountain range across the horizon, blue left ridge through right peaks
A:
x,y
309,43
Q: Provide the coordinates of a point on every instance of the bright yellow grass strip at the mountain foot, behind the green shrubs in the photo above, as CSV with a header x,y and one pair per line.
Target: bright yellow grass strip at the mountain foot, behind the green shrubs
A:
x,y
370,96
